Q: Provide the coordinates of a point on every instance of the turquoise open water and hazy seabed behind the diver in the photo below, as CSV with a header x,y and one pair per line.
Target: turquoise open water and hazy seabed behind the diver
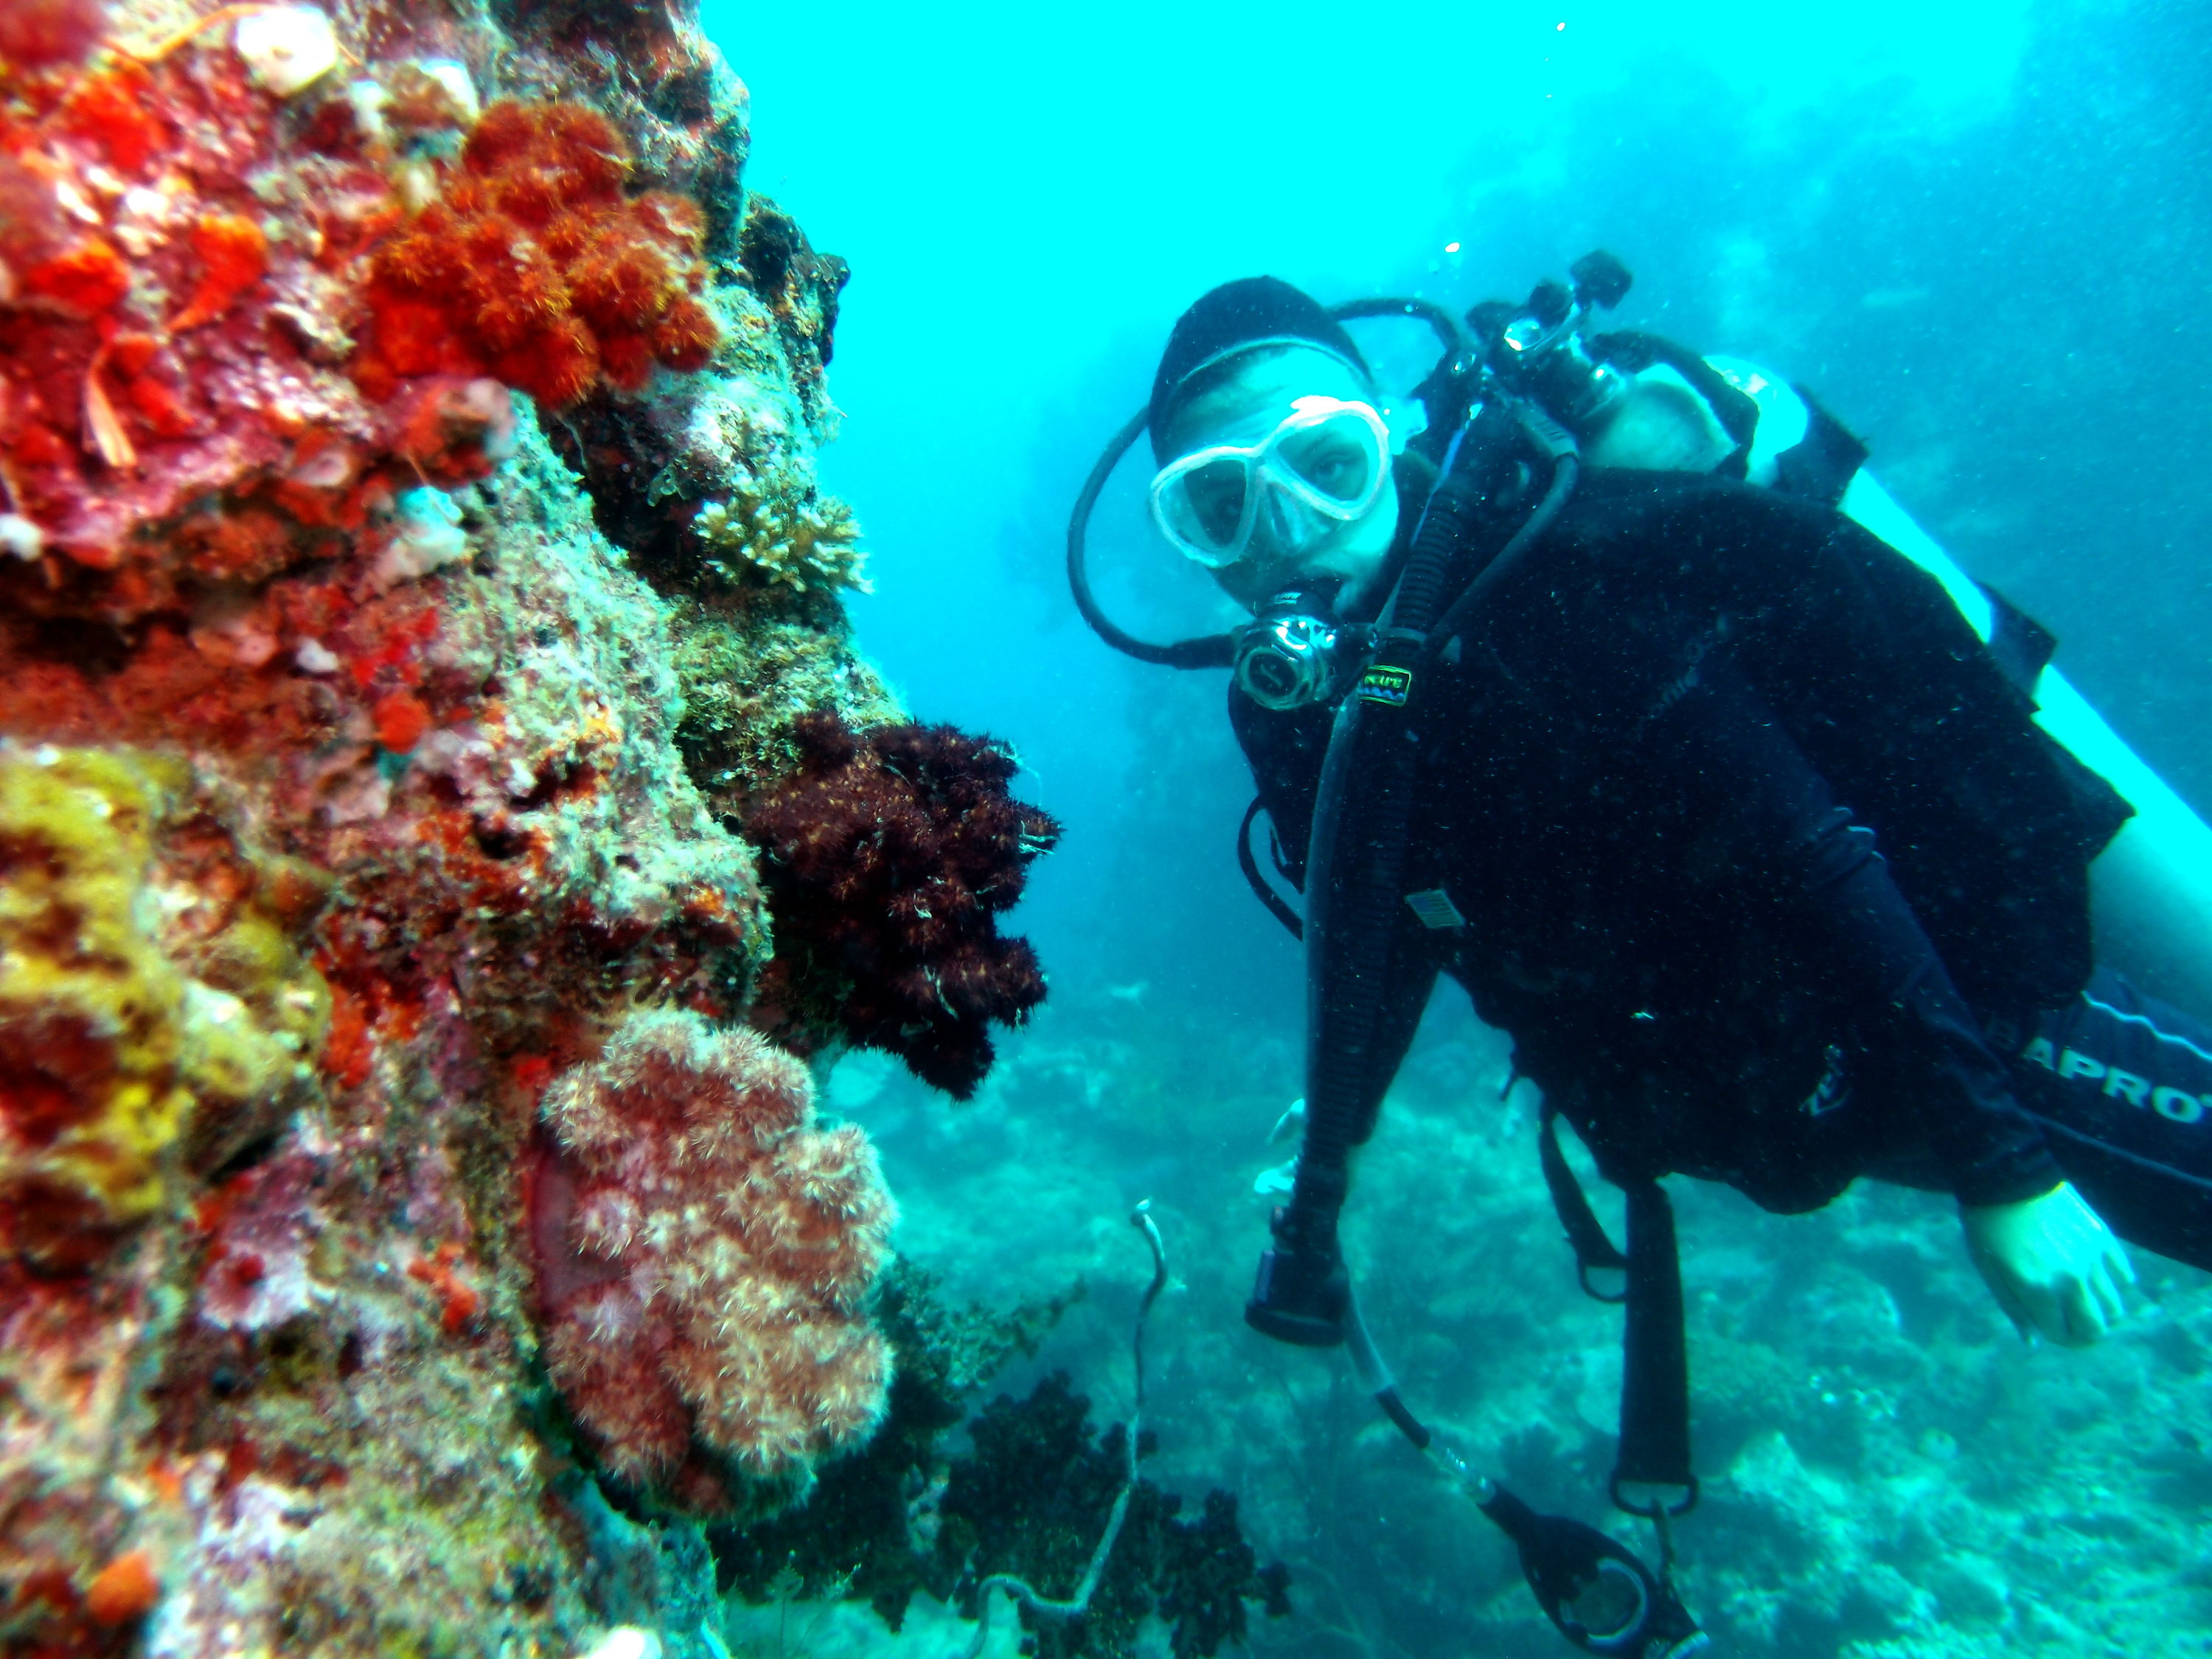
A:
x,y
1981,233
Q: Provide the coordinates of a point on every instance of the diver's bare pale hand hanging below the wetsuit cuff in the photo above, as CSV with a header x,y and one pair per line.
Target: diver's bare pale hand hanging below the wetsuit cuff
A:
x,y
2052,1264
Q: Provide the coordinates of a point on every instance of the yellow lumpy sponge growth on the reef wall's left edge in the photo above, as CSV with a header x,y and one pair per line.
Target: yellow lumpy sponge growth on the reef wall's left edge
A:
x,y
154,1010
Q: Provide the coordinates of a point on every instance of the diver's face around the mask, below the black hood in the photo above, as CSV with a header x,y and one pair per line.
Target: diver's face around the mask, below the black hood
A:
x,y
1242,410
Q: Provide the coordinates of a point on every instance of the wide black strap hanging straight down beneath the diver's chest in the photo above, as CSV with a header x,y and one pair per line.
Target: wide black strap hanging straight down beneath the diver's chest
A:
x,y
1656,1361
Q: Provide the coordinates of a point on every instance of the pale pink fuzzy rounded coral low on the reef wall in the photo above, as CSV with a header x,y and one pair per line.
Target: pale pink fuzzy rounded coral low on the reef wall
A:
x,y
705,1253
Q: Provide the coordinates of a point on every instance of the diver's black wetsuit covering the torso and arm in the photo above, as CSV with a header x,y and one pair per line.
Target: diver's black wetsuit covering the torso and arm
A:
x,y
1760,859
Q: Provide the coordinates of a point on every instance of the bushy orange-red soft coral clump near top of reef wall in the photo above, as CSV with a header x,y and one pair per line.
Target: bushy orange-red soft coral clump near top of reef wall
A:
x,y
539,269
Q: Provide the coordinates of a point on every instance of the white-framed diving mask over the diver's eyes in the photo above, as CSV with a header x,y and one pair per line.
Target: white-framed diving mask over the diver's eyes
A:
x,y
1324,466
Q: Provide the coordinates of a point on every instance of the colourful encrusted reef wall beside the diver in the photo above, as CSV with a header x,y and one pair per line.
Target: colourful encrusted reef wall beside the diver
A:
x,y
410,576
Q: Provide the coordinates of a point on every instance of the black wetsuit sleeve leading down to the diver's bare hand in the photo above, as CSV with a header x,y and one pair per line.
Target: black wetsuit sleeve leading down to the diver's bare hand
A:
x,y
1833,881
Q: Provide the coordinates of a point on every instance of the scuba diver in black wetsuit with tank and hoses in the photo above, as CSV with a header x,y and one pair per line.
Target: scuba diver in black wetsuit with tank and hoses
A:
x,y
1627,700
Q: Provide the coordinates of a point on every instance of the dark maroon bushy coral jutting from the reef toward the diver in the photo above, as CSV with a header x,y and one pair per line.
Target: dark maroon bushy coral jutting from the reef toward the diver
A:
x,y
890,857
